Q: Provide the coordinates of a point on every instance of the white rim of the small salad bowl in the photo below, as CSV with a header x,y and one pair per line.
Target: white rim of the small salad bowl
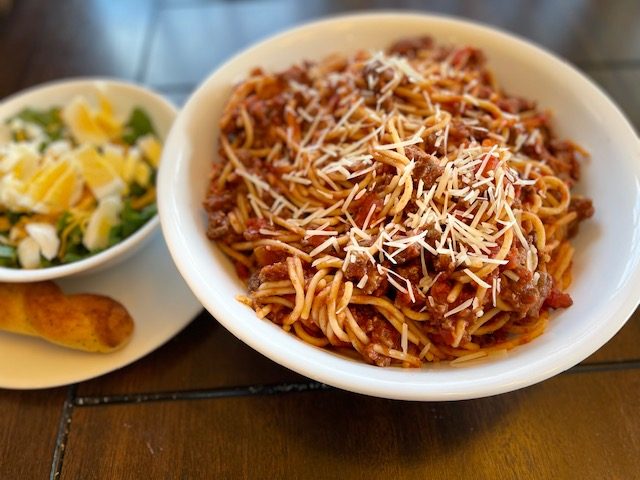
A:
x,y
85,265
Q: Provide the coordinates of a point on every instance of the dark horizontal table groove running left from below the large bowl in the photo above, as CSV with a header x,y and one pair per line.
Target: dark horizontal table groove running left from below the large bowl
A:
x,y
280,388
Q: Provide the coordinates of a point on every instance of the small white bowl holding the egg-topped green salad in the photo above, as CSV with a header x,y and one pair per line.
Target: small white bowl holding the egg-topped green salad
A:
x,y
124,97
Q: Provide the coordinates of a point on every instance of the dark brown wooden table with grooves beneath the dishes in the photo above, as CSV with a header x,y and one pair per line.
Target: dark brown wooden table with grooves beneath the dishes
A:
x,y
207,406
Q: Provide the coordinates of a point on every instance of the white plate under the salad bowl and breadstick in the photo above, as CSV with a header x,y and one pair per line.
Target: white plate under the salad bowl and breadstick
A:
x,y
153,292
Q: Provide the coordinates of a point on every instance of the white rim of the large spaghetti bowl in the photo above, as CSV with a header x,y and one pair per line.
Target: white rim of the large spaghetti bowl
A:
x,y
327,369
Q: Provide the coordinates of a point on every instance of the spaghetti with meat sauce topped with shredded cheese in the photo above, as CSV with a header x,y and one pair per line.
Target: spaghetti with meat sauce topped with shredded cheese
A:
x,y
396,206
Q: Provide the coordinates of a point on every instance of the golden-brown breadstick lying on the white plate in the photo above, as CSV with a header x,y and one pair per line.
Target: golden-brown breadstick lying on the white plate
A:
x,y
92,323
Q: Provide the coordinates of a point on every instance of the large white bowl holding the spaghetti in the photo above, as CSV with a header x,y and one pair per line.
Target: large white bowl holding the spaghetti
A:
x,y
606,275
